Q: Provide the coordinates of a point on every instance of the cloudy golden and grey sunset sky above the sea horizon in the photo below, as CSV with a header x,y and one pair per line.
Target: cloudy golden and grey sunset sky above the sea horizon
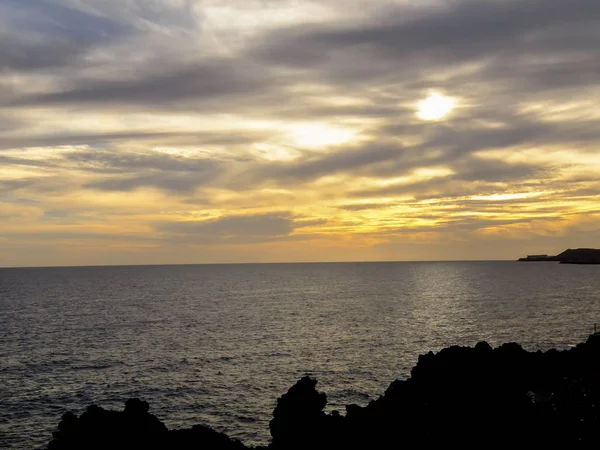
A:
x,y
217,131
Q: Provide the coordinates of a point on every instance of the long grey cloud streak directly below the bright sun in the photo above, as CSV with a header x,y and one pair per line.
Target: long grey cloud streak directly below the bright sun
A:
x,y
386,157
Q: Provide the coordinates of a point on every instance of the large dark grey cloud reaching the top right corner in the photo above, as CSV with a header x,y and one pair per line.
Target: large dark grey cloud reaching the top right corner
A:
x,y
455,31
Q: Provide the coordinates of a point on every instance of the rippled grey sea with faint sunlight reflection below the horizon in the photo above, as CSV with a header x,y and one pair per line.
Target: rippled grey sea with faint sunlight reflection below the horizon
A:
x,y
217,344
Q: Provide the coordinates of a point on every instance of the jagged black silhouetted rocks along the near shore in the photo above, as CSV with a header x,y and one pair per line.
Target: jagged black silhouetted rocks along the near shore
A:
x,y
468,397
